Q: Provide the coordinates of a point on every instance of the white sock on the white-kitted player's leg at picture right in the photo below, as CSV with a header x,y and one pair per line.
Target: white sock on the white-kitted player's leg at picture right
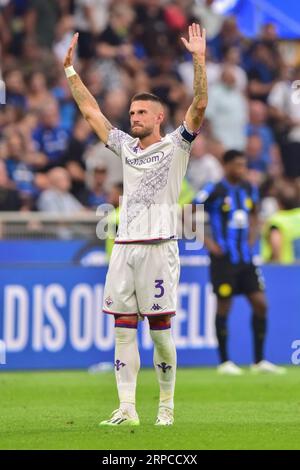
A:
x,y
165,365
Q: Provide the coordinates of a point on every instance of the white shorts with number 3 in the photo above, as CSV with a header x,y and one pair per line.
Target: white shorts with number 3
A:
x,y
142,279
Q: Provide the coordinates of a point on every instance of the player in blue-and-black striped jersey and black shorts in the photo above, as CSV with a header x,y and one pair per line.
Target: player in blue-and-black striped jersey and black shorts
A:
x,y
232,207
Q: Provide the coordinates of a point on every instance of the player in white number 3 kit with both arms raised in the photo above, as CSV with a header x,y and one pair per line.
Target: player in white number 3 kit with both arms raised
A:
x,y
144,268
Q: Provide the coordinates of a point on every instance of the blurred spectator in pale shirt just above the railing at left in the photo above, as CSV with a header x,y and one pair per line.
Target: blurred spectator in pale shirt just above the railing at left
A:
x,y
58,199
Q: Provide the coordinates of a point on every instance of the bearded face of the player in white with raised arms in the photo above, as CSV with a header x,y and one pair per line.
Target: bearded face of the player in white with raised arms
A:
x,y
144,117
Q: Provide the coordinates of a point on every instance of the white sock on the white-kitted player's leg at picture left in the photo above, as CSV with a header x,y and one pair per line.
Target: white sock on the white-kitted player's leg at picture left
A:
x,y
127,365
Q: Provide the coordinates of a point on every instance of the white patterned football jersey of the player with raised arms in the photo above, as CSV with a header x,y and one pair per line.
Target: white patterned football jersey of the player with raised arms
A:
x,y
152,180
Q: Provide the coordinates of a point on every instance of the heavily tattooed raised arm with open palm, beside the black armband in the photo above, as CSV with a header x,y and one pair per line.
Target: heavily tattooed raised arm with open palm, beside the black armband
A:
x,y
196,46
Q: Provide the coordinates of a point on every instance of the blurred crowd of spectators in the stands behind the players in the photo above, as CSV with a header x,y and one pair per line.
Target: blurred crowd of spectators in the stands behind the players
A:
x,y
50,160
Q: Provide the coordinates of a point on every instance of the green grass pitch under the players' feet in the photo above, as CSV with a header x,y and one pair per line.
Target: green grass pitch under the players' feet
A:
x,y
61,410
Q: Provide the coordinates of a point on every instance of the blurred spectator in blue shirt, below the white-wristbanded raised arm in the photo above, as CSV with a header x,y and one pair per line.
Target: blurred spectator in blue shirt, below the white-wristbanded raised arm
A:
x,y
50,137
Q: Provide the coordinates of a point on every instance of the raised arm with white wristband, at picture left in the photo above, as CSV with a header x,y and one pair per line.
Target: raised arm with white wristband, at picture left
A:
x,y
85,101
